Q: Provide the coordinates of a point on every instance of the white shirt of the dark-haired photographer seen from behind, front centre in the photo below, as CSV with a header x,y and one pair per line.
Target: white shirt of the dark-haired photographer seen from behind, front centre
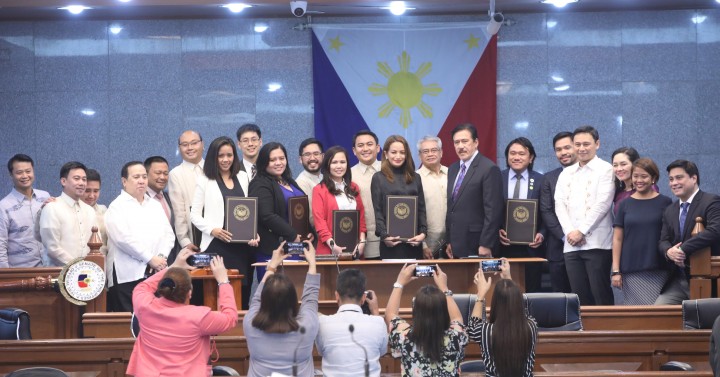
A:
x,y
340,355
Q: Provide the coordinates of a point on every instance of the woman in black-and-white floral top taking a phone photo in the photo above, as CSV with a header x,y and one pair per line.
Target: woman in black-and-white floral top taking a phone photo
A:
x,y
434,345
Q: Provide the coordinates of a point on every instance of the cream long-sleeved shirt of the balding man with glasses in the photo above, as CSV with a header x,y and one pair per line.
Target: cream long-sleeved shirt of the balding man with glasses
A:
x,y
181,189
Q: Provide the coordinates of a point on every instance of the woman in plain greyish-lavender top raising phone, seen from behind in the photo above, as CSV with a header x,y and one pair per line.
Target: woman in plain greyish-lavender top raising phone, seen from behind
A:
x,y
279,335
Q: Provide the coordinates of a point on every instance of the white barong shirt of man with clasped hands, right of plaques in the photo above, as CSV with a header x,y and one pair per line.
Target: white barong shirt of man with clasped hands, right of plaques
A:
x,y
583,198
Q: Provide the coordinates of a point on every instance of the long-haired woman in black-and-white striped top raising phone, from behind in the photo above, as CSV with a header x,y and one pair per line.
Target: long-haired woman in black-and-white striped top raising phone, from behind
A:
x,y
508,339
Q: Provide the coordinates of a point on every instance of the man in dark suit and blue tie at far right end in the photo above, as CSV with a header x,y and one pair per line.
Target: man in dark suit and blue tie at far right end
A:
x,y
676,244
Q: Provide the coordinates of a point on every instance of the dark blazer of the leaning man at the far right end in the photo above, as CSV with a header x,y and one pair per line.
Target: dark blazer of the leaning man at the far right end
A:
x,y
705,205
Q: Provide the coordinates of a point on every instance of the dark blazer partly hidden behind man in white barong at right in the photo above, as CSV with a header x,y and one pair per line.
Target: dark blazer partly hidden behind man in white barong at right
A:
x,y
553,231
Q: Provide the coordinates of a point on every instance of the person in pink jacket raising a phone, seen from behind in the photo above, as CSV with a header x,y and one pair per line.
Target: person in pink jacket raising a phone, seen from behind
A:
x,y
175,336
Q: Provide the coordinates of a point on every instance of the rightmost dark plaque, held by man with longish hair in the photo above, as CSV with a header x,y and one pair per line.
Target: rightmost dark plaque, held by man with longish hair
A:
x,y
521,220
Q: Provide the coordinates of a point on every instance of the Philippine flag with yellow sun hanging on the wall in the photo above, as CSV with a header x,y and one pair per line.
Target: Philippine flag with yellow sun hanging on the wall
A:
x,y
406,79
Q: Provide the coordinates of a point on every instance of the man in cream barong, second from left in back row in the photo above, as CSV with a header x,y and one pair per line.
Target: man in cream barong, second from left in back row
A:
x,y
66,223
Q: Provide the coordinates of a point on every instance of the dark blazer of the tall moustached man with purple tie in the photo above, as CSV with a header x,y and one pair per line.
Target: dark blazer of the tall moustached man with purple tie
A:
x,y
475,218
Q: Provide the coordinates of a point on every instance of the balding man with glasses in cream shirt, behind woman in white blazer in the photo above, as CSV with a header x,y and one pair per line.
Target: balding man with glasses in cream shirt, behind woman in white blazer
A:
x,y
181,184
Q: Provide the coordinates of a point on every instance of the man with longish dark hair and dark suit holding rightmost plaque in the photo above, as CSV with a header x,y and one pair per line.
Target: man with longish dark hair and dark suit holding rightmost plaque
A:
x,y
520,181
